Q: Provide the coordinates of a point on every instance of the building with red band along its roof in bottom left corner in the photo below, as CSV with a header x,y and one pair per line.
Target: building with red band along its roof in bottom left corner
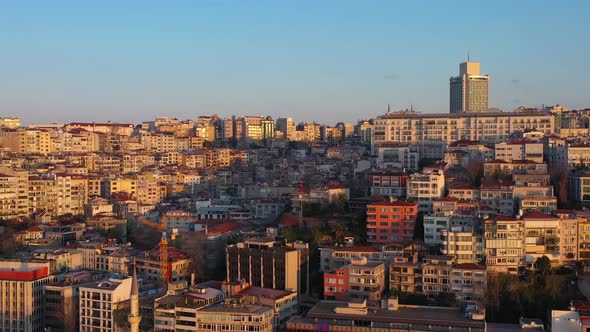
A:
x,y
21,295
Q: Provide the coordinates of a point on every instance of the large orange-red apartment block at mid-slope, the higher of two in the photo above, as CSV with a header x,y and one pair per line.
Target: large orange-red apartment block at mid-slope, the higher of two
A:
x,y
391,221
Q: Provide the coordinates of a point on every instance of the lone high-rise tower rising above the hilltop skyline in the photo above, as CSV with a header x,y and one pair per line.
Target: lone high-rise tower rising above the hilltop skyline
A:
x,y
469,90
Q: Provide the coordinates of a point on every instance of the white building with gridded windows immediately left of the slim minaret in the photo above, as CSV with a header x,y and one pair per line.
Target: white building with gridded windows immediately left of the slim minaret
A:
x,y
99,300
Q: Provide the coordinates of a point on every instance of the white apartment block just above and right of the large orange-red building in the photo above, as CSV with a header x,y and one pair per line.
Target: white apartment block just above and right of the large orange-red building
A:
x,y
426,187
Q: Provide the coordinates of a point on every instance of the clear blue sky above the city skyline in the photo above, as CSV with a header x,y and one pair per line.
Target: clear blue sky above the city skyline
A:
x,y
326,61
